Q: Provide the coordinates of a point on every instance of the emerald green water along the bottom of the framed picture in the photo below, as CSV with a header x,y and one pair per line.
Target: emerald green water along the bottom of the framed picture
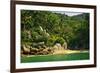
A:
x,y
59,57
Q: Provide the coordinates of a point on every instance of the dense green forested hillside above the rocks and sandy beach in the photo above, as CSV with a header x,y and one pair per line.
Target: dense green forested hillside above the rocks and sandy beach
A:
x,y
44,29
